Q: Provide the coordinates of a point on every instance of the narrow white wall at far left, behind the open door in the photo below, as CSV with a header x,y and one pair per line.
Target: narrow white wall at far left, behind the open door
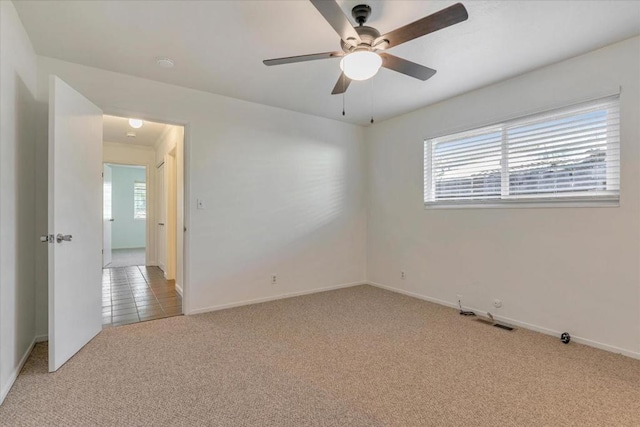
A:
x,y
17,191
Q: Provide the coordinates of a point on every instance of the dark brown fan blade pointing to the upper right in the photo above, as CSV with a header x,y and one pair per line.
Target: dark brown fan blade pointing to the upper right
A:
x,y
434,22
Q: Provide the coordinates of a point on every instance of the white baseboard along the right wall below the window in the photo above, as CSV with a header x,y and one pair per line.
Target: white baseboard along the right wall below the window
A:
x,y
514,322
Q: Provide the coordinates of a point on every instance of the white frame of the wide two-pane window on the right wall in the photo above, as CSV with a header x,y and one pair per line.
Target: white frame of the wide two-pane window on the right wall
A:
x,y
556,200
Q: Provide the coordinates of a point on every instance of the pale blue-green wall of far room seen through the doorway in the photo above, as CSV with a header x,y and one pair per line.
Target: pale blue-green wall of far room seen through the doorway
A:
x,y
126,231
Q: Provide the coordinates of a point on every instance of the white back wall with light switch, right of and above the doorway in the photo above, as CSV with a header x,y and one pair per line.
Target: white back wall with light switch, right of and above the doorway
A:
x,y
284,191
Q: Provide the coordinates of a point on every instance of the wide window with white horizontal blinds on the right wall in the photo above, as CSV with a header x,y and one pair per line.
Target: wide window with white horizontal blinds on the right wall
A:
x,y
571,154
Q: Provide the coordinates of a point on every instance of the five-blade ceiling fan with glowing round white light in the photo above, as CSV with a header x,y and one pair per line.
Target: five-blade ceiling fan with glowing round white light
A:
x,y
363,48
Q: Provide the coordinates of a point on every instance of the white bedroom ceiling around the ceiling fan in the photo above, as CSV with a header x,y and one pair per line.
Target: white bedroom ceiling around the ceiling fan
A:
x,y
218,46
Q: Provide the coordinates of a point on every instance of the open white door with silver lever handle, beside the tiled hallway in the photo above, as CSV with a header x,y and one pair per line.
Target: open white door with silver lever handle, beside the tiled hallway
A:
x,y
75,213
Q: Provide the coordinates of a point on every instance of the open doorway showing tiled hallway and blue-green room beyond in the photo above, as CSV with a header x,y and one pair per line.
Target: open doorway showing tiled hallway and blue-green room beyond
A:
x,y
143,200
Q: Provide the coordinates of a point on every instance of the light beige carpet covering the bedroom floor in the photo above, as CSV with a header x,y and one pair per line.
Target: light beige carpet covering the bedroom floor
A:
x,y
353,357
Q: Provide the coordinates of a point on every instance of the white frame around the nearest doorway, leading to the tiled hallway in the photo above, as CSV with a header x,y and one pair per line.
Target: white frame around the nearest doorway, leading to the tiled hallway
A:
x,y
186,190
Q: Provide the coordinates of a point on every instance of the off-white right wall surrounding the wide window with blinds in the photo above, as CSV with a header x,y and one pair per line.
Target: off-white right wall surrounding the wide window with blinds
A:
x,y
555,269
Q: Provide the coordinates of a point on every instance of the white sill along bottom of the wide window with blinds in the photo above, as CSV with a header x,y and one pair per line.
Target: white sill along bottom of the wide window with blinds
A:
x,y
528,204
